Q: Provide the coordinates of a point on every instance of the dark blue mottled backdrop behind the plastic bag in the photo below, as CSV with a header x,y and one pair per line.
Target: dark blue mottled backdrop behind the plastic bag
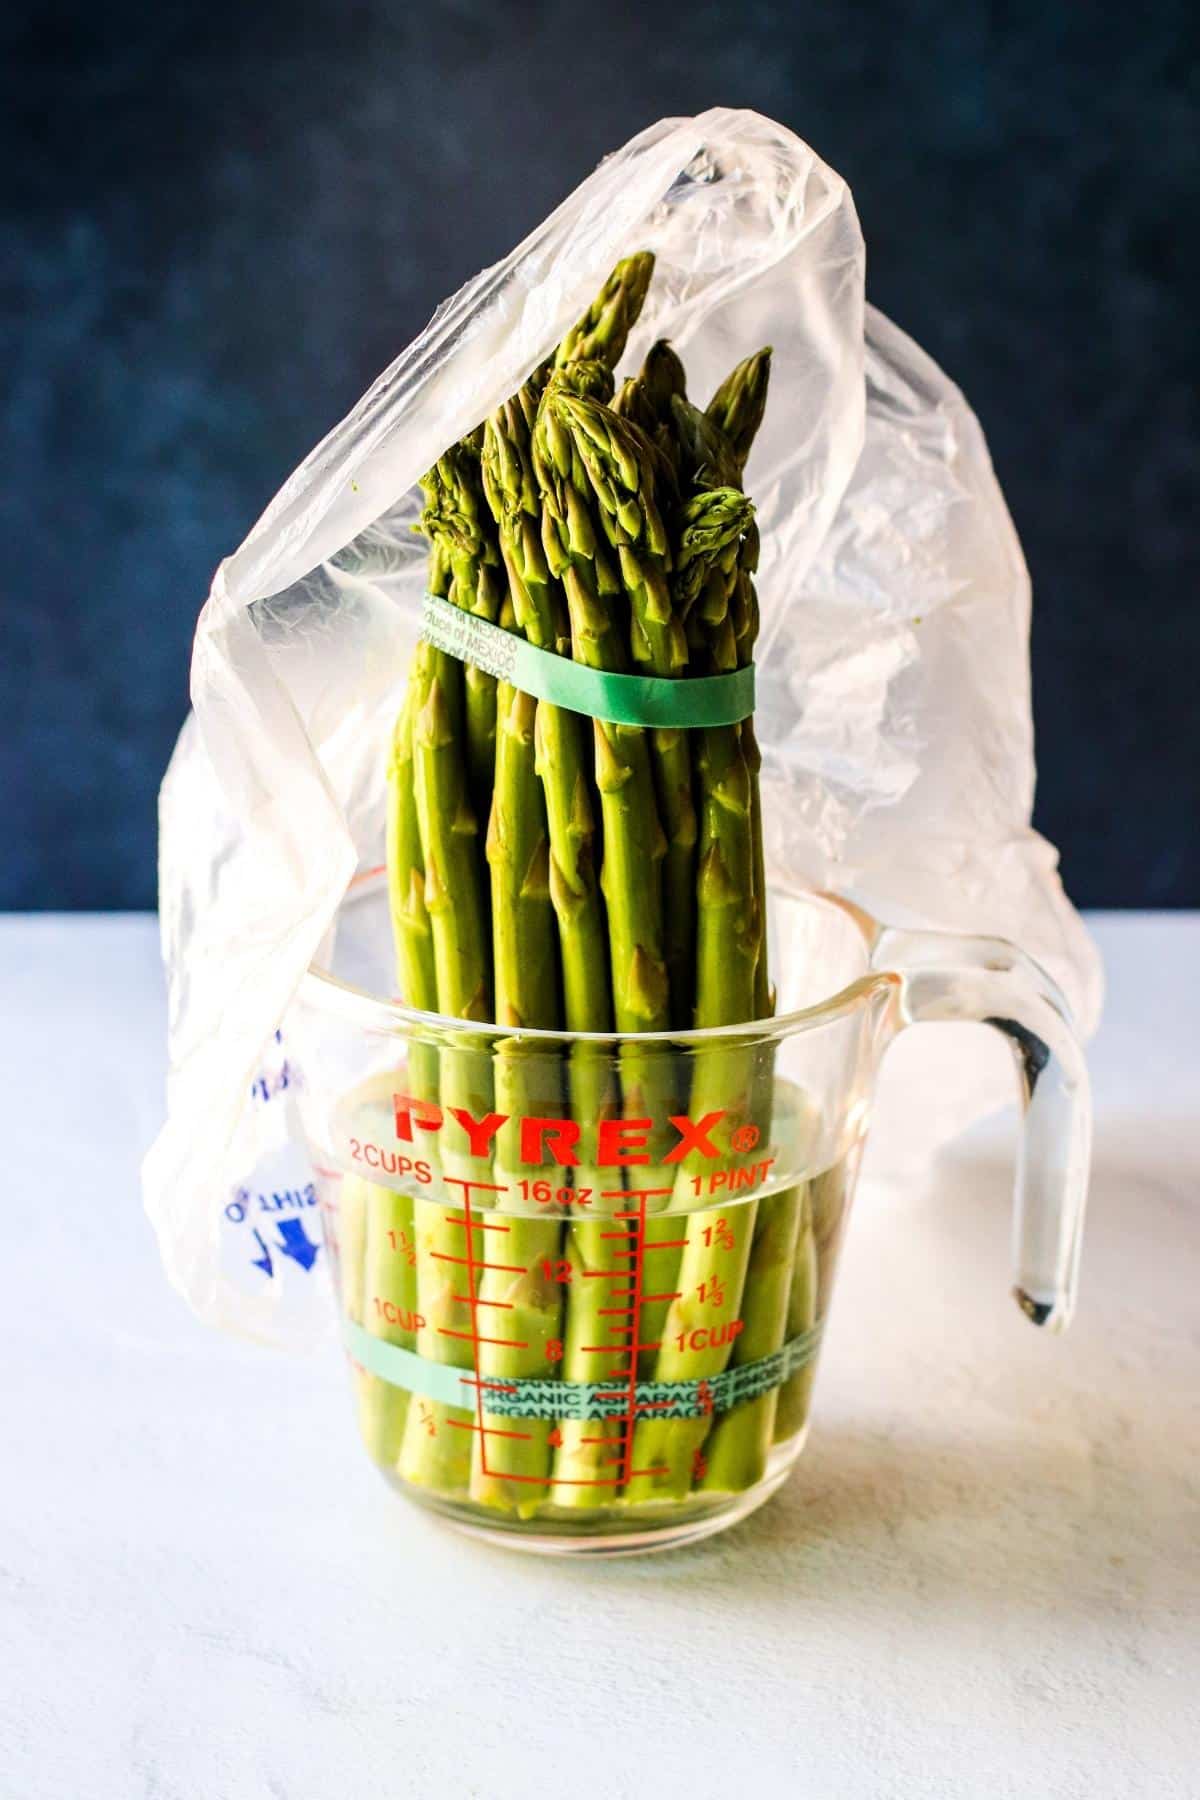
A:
x,y
222,222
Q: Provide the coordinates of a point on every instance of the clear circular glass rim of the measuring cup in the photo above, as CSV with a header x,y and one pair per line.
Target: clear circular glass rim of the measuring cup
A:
x,y
332,994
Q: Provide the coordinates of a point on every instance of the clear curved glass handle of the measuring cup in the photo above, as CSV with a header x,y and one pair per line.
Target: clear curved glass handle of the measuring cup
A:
x,y
992,982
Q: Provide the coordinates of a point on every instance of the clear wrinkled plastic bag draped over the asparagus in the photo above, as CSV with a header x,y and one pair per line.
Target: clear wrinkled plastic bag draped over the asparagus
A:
x,y
895,706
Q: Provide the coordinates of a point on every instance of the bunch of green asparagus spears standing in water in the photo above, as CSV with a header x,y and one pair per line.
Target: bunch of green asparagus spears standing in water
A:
x,y
566,874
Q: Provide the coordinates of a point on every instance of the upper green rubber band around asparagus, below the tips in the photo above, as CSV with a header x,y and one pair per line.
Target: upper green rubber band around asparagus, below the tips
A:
x,y
622,699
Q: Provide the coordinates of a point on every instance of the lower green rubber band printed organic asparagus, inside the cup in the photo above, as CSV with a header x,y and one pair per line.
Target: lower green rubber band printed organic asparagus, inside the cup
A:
x,y
546,1398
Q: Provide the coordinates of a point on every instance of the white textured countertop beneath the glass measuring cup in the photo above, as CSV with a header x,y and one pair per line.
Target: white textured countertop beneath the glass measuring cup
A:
x,y
983,1579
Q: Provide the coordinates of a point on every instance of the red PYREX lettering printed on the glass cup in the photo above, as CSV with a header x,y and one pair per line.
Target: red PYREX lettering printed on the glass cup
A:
x,y
620,1144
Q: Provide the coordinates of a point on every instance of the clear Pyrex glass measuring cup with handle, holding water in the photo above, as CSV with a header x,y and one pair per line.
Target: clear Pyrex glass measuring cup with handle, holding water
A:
x,y
584,1279
